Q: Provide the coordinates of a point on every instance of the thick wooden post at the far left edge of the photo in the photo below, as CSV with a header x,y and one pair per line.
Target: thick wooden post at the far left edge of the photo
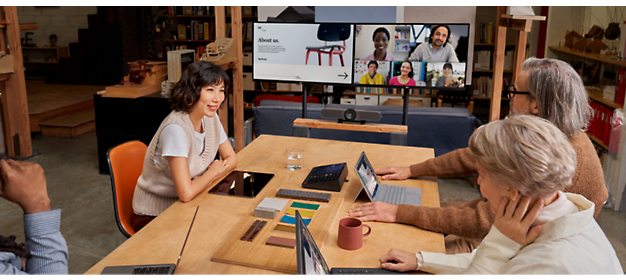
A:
x,y
14,100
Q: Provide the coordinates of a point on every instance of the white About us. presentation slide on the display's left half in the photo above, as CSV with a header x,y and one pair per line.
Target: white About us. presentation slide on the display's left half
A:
x,y
303,52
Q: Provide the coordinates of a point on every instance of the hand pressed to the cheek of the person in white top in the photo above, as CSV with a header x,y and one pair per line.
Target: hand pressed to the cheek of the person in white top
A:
x,y
514,219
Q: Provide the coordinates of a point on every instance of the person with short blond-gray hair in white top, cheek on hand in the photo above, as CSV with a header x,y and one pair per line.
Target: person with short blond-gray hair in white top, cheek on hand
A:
x,y
525,163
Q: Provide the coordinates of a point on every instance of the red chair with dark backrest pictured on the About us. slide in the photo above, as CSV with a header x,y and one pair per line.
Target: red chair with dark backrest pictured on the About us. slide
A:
x,y
330,33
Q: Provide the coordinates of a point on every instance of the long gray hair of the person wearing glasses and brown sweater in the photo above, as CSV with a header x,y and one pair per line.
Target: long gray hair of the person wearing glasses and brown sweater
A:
x,y
561,96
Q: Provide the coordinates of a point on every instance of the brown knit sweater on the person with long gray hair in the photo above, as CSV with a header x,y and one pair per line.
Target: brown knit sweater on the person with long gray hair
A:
x,y
474,219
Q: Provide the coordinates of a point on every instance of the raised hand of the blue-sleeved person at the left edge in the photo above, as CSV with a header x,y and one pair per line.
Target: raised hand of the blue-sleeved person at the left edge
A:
x,y
24,183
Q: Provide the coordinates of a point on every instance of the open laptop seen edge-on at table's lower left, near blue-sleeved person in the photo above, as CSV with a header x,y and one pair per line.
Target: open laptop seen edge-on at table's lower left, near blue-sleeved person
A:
x,y
149,269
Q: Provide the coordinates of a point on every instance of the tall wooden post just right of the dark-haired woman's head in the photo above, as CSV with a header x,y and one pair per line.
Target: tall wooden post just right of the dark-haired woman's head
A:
x,y
235,12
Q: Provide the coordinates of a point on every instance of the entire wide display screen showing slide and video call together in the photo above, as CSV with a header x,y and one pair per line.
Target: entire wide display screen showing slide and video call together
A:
x,y
372,55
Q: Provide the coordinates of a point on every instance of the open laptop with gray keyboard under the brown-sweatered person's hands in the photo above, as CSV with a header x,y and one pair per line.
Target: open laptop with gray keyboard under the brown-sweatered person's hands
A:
x,y
384,193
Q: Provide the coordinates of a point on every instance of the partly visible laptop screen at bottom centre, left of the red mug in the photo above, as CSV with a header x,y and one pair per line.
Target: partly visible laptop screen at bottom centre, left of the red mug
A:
x,y
310,261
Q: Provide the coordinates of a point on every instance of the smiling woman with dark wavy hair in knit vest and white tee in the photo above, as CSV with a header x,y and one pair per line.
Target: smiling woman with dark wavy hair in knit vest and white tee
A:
x,y
179,161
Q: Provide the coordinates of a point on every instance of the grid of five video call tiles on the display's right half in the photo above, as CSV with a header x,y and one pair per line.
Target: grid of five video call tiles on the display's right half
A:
x,y
411,55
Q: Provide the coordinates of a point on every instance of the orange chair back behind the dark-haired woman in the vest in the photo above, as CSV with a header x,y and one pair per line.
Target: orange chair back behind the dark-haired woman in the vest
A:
x,y
125,165
